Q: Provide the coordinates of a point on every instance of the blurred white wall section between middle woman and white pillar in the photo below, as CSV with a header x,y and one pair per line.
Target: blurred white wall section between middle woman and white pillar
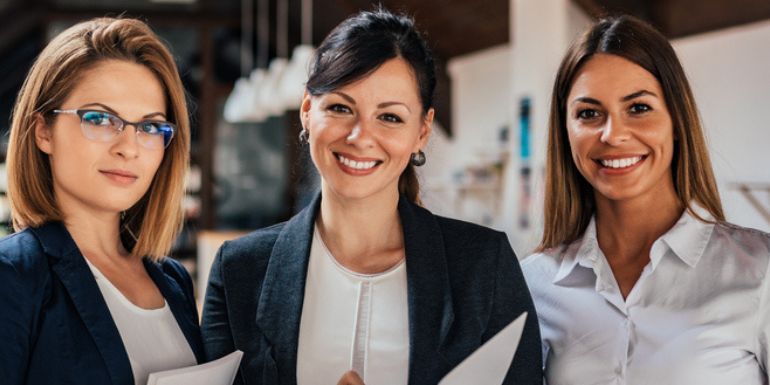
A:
x,y
480,109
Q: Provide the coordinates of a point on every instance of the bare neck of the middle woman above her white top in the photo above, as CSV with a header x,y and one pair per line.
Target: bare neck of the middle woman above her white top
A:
x,y
362,234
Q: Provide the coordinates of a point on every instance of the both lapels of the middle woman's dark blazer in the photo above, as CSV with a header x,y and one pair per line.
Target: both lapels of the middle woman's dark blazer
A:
x,y
429,294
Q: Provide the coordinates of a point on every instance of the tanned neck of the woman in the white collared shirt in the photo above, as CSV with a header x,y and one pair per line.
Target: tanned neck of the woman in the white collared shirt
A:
x,y
627,229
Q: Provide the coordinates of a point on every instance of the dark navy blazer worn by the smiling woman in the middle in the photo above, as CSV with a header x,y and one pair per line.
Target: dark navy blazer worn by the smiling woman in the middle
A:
x,y
464,284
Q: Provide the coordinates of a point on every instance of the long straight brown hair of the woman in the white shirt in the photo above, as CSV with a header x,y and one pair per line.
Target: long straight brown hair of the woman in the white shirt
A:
x,y
569,198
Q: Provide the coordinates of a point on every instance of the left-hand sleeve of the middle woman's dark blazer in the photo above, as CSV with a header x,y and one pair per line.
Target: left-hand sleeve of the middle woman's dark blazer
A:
x,y
215,325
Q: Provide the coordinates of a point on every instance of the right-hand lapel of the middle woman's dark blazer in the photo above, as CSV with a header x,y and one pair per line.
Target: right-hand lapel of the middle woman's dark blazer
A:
x,y
428,293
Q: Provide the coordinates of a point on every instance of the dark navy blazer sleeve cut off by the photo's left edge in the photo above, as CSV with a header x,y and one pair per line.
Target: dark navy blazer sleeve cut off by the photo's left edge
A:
x,y
18,312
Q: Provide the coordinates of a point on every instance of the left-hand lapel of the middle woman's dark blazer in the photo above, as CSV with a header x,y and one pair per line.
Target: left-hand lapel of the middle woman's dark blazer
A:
x,y
283,290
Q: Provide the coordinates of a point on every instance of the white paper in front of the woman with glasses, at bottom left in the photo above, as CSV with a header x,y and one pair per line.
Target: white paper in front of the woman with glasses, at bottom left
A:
x,y
219,372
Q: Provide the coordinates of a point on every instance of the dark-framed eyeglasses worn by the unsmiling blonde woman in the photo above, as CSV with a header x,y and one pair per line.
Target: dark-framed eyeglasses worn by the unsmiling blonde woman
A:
x,y
103,126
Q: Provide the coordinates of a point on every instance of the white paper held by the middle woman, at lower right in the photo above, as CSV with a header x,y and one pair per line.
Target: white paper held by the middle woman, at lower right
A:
x,y
489,364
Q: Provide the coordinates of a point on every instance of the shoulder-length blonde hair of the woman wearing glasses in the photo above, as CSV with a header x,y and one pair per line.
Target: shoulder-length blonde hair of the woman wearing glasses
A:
x,y
149,227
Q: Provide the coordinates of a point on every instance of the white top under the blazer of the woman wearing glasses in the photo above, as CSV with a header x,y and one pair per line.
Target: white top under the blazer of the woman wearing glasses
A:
x,y
152,337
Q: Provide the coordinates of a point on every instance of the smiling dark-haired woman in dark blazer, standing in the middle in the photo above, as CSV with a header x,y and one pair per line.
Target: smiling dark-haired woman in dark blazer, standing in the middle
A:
x,y
364,283
